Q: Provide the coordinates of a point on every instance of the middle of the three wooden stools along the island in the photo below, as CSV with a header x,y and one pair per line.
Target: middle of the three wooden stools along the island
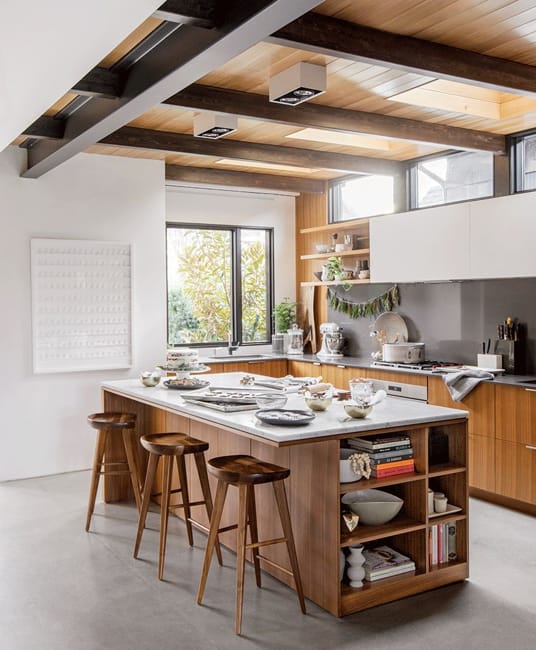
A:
x,y
169,446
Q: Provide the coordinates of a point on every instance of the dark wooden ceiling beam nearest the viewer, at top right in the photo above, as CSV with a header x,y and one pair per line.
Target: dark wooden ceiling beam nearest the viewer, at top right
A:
x,y
342,39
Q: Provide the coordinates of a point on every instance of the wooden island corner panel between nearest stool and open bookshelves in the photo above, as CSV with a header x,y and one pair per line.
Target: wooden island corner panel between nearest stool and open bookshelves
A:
x,y
314,480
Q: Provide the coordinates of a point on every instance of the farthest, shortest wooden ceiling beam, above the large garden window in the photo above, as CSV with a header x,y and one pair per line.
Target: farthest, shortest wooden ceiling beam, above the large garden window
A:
x,y
243,179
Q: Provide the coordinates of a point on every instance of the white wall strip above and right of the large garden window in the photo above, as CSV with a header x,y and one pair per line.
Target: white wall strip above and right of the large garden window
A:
x,y
243,208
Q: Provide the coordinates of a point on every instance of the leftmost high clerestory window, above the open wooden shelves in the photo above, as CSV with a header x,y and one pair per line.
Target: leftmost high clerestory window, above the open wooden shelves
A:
x,y
356,197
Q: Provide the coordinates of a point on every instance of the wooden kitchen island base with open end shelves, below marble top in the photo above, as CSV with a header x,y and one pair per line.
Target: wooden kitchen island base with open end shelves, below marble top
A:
x,y
314,493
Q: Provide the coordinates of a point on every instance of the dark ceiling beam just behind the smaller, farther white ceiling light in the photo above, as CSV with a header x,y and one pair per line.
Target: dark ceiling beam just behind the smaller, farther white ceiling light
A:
x,y
182,143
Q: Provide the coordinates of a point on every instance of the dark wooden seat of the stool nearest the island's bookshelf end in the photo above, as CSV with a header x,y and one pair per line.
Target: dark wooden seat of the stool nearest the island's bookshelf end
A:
x,y
245,469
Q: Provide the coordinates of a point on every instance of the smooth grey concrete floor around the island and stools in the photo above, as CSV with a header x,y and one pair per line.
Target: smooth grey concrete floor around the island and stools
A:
x,y
65,589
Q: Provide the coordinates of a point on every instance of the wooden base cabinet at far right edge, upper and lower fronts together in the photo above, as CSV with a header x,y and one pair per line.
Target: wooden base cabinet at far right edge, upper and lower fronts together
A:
x,y
515,466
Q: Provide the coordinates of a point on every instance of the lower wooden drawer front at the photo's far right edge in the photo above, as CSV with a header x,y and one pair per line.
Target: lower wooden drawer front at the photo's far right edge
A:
x,y
515,471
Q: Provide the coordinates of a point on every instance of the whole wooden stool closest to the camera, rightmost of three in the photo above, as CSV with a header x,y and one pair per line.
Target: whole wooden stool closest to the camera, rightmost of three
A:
x,y
245,472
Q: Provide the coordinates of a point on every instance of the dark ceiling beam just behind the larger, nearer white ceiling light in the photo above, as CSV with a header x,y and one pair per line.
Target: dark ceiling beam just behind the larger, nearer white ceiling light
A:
x,y
257,106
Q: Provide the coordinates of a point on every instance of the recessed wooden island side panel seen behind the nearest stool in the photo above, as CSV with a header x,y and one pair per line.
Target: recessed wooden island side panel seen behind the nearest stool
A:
x,y
267,514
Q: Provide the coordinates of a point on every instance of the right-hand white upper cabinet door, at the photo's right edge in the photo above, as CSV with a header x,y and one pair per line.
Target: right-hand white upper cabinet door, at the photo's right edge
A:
x,y
503,237
